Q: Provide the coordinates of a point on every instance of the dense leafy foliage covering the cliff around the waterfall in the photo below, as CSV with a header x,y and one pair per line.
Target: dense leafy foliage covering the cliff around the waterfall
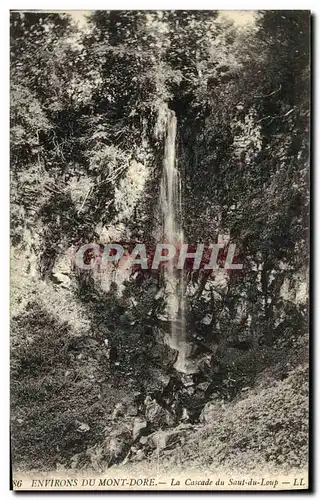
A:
x,y
88,119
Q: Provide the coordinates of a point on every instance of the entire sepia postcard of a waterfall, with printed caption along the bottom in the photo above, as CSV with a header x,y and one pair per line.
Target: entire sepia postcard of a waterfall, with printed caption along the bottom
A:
x,y
159,275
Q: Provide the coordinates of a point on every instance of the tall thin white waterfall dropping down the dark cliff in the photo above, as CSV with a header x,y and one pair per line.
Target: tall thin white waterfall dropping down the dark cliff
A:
x,y
171,211
